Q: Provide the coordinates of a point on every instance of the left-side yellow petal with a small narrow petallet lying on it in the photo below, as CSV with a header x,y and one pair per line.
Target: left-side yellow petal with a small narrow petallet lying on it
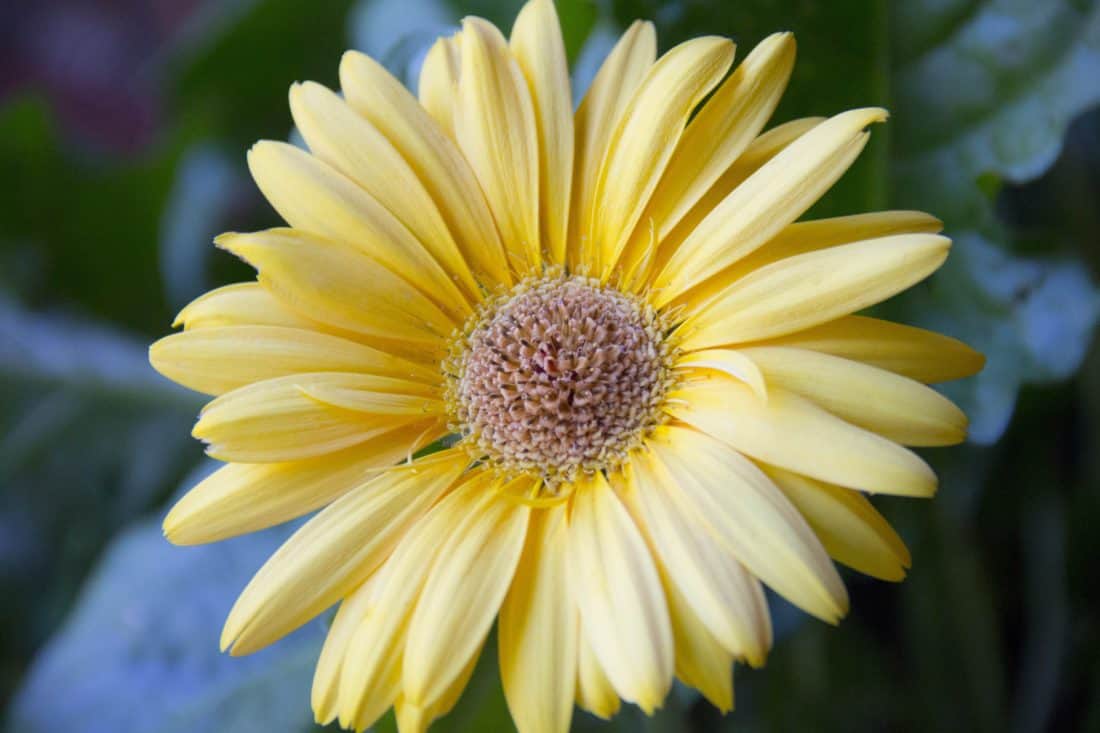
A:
x,y
277,421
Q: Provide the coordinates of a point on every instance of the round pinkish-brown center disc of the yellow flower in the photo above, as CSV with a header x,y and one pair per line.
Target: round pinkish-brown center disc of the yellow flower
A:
x,y
558,377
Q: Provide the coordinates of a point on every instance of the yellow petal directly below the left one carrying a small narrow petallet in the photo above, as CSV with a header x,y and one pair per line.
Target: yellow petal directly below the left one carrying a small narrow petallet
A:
x,y
244,498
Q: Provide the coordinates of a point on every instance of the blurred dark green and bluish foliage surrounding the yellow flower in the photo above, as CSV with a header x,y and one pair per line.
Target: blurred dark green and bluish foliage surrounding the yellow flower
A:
x,y
124,126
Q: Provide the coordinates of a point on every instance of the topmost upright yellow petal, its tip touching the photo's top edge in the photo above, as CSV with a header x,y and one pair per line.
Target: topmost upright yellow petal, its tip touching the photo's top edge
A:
x,y
538,48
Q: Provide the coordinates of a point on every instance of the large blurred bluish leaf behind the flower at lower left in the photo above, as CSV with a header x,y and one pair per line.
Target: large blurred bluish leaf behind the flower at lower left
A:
x,y
140,652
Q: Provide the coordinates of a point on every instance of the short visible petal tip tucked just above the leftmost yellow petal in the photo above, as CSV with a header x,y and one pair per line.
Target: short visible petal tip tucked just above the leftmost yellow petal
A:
x,y
241,304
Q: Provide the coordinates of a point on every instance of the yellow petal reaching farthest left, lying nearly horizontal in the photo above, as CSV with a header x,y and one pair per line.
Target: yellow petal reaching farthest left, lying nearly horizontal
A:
x,y
221,359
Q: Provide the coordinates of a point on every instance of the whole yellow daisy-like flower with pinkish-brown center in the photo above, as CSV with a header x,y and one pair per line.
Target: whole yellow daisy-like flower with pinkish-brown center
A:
x,y
651,389
